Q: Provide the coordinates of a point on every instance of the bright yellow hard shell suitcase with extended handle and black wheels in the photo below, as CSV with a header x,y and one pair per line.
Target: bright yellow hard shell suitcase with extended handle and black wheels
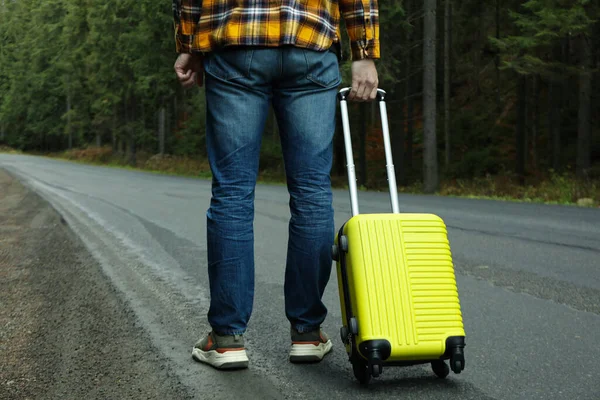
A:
x,y
397,286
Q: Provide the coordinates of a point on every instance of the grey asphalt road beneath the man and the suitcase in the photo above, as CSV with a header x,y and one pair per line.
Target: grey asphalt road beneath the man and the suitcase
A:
x,y
528,277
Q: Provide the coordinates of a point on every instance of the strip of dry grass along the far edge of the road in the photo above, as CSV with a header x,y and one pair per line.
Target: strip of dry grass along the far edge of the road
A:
x,y
552,188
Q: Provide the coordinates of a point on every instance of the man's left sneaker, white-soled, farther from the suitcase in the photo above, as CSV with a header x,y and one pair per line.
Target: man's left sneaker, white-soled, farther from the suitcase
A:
x,y
222,352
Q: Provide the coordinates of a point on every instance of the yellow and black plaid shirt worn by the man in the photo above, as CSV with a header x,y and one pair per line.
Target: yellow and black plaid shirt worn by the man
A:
x,y
203,25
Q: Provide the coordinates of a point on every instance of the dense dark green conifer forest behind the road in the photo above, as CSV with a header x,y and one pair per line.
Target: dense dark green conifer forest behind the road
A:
x,y
497,98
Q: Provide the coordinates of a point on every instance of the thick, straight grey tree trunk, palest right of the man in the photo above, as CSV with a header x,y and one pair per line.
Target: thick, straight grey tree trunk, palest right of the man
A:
x,y
430,167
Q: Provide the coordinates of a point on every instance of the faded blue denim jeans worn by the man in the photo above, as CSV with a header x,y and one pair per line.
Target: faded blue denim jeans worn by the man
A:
x,y
241,85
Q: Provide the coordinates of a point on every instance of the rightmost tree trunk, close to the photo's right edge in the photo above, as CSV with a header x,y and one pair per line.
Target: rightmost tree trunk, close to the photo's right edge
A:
x,y
584,115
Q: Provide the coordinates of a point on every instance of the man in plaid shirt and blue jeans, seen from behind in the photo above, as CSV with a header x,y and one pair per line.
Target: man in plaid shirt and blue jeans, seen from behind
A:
x,y
251,55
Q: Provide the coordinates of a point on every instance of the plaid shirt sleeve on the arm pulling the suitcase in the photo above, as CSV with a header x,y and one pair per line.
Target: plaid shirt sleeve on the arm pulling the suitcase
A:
x,y
362,24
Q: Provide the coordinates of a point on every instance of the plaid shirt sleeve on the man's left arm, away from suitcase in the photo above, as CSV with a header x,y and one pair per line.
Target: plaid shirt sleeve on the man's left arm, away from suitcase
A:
x,y
186,15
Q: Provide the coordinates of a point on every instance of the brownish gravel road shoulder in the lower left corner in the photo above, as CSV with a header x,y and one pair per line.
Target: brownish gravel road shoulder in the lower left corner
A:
x,y
65,332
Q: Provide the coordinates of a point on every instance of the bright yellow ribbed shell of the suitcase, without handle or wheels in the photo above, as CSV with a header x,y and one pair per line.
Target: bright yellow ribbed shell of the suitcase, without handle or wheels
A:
x,y
405,266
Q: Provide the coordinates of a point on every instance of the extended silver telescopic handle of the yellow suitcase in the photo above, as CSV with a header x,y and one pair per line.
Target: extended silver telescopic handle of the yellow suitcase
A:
x,y
391,174
